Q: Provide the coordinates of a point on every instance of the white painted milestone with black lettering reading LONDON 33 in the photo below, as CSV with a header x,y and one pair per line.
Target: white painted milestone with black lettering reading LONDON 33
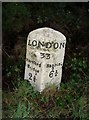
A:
x,y
44,57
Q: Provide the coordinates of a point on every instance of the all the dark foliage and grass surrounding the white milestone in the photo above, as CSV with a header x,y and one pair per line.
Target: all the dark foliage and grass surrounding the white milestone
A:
x,y
20,100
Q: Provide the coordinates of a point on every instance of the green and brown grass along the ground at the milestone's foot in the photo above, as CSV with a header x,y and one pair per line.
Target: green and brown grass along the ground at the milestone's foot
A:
x,y
25,102
